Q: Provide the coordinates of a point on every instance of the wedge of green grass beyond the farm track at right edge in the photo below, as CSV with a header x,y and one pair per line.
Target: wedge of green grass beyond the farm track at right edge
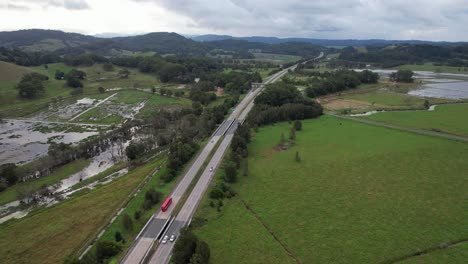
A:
x,y
446,118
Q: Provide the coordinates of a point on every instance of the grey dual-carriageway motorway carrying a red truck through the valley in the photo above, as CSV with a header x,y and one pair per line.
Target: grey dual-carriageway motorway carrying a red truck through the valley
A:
x,y
154,227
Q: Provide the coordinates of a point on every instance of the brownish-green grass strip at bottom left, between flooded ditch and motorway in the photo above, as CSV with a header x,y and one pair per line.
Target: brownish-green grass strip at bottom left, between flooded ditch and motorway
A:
x,y
49,235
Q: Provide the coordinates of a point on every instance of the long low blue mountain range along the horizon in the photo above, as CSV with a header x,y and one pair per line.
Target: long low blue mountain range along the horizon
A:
x,y
321,42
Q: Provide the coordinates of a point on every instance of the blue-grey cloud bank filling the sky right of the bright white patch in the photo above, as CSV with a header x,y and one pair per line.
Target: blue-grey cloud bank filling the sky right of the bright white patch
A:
x,y
324,18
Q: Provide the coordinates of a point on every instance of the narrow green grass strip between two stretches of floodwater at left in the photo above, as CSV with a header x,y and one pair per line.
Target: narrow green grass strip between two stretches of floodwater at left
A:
x,y
11,194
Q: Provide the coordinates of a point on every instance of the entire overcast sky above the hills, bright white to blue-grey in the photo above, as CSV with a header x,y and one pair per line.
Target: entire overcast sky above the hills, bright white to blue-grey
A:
x,y
335,19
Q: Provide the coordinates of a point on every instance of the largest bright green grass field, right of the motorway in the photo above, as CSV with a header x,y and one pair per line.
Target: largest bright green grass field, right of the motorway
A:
x,y
361,194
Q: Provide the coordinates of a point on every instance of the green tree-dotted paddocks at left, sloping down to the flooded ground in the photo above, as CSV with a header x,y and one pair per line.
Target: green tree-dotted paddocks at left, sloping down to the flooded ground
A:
x,y
11,105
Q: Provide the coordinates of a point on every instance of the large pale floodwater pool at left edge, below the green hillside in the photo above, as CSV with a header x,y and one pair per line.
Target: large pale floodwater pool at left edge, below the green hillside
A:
x,y
19,143
